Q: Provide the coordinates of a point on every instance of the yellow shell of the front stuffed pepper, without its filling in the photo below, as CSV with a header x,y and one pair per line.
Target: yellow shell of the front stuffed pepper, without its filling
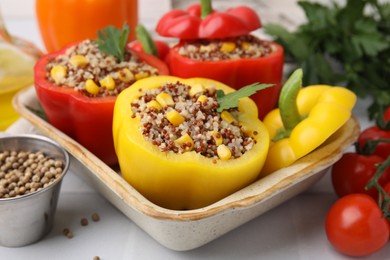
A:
x,y
188,180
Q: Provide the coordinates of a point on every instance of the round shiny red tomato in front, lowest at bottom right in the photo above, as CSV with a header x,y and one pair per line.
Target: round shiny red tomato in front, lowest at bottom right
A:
x,y
355,225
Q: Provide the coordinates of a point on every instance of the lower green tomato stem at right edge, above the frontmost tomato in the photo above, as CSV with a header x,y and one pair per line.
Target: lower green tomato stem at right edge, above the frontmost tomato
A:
x,y
383,198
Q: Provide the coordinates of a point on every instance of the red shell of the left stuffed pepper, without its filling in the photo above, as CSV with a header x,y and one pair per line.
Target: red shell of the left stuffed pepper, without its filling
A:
x,y
88,120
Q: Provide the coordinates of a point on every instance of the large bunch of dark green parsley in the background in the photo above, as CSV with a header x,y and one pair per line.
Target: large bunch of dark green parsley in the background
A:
x,y
354,37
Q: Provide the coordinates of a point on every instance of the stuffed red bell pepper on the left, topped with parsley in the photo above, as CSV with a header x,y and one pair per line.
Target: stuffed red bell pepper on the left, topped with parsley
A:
x,y
77,87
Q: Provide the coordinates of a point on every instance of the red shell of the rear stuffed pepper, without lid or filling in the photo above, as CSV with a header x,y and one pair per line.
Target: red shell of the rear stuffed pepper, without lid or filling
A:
x,y
236,73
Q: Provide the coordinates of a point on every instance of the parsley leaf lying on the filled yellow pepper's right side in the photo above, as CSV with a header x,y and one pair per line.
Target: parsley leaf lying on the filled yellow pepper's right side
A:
x,y
231,99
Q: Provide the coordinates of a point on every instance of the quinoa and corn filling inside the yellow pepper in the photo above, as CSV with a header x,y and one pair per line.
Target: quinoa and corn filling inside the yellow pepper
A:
x,y
179,118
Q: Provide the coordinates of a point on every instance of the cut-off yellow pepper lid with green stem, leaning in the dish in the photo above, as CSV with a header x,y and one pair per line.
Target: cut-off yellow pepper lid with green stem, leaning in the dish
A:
x,y
306,117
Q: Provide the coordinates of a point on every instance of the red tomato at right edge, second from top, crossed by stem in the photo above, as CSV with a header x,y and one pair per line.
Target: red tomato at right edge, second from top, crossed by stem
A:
x,y
374,133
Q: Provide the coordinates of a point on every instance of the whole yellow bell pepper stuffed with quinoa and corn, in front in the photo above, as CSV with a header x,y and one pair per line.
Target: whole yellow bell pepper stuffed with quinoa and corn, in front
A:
x,y
181,149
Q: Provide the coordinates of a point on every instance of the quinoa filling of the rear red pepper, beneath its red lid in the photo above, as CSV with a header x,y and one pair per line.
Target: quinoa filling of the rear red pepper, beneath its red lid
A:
x,y
242,47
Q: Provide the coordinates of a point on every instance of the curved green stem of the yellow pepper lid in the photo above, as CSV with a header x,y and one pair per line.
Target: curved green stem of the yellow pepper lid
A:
x,y
288,101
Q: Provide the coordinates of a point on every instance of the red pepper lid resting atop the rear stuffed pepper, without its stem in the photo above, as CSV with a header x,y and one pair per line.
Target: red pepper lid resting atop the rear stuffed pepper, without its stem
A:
x,y
188,24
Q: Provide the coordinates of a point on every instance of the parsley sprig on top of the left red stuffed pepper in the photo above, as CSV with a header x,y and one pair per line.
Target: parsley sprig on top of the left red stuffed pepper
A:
x,y
113,41
